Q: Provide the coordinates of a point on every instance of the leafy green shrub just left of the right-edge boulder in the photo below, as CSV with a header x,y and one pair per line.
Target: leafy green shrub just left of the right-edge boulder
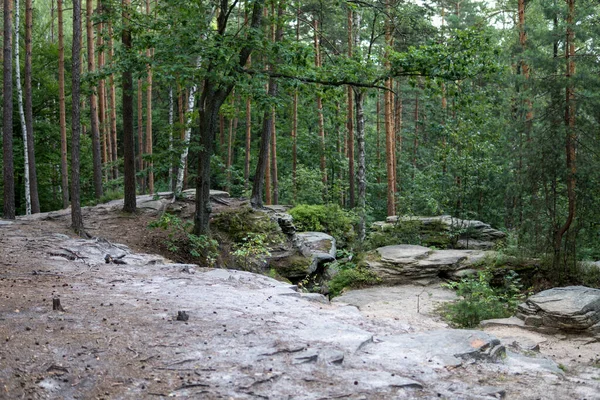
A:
x,y
480,301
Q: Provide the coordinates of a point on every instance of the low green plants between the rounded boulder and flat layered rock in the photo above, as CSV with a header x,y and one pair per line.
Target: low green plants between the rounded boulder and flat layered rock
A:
x,y
350,273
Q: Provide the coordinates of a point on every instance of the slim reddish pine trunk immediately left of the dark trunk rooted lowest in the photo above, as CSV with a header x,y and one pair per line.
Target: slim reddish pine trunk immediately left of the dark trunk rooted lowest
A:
x,y
62,106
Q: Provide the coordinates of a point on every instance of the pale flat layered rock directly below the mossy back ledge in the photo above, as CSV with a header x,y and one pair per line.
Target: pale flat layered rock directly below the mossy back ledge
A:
x,y
405,263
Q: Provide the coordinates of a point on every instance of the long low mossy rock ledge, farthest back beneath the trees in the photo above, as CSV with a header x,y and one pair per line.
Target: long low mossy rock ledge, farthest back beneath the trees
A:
x,y
442,231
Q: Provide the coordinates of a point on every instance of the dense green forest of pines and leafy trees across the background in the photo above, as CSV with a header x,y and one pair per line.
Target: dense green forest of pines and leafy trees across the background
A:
x,y
482,110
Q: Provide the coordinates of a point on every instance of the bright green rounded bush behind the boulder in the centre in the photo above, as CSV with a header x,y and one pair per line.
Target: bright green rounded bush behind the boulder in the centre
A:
x,y
330,218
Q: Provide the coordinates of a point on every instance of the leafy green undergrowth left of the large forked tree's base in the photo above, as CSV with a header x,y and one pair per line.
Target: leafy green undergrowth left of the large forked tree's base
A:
x,y
180,238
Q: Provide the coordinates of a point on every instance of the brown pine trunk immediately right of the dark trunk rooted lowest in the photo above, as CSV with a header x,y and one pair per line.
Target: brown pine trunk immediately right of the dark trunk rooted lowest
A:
x,y
96,158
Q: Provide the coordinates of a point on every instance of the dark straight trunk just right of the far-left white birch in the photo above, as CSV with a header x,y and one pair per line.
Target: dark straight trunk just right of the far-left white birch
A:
x,y
35,201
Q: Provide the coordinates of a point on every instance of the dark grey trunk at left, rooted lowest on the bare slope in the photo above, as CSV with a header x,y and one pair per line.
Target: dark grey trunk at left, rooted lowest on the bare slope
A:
x,y
76,216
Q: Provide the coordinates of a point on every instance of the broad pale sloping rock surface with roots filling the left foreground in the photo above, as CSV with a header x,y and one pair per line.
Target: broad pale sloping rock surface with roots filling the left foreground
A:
x,y
246,336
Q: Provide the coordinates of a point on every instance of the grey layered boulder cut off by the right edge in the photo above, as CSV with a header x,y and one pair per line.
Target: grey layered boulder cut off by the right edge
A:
x,y
571,308
